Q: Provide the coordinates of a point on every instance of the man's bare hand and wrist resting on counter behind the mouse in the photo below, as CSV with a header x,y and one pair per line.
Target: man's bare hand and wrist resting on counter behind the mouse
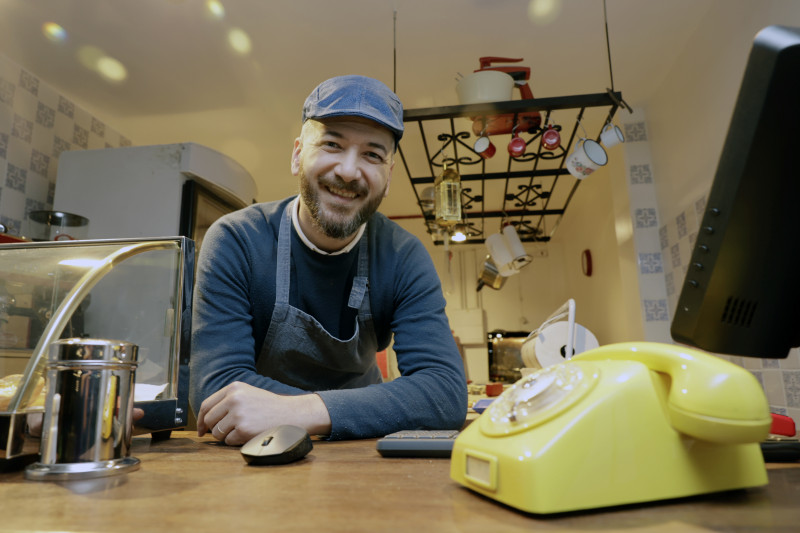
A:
x,y
239,412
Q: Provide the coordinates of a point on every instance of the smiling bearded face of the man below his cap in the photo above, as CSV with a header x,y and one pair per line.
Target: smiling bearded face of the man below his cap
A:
x,y
345,166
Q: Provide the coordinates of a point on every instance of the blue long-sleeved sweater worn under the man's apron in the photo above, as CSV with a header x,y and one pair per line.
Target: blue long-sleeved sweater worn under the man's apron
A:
x,y
235,295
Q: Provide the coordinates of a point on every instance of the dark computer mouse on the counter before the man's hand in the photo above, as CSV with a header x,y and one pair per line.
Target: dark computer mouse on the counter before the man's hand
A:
x,y
277,446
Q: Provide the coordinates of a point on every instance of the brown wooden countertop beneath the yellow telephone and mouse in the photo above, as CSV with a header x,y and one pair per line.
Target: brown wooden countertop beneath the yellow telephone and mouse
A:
x,y
188,483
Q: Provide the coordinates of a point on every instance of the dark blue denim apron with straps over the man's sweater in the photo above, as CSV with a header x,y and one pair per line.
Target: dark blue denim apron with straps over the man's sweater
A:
x,y
297,349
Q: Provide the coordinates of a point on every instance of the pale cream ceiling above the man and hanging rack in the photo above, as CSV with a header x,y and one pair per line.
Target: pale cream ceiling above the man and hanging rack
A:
x,y
185,83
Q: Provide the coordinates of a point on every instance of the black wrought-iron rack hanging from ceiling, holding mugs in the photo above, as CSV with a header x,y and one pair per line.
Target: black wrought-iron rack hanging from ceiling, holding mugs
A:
x,y
526,206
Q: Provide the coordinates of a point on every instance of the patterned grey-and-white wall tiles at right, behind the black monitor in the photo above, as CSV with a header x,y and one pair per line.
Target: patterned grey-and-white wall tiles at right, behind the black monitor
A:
x,y
664,248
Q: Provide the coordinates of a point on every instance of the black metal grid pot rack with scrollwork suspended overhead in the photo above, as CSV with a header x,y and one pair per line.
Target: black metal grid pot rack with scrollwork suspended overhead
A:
x,y
536,186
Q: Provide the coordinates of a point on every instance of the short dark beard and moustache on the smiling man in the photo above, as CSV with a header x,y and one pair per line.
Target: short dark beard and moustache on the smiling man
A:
x,y
335,221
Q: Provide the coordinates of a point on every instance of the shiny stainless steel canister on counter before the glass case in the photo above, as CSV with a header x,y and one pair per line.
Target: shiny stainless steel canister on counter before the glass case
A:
x,y
88,422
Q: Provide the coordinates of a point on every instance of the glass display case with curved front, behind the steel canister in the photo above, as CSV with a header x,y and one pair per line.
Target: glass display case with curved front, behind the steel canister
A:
x,y
133,290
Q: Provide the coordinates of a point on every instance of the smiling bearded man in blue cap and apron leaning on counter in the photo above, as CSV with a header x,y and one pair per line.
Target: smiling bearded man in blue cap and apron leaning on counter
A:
x,y
294,298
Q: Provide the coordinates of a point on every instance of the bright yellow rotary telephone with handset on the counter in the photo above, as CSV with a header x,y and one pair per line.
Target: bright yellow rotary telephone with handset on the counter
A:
x,y
623,423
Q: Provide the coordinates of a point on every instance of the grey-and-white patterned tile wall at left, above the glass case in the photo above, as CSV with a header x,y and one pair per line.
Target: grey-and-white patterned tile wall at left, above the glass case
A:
x,y
36,125
